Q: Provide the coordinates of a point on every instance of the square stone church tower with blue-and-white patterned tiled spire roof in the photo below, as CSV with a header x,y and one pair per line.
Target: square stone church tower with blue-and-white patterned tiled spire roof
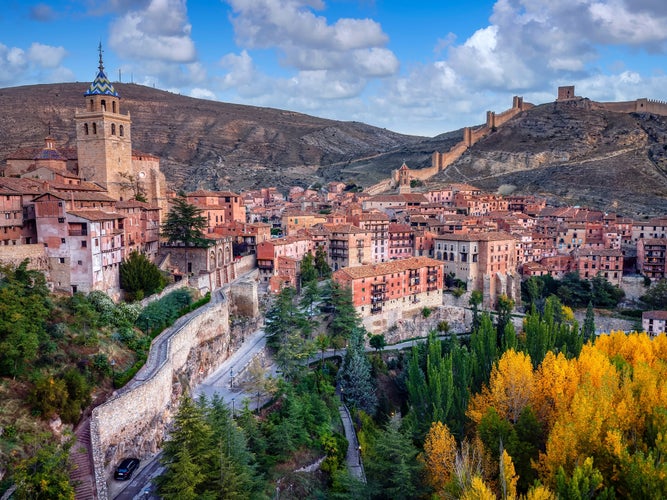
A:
x,y
103,137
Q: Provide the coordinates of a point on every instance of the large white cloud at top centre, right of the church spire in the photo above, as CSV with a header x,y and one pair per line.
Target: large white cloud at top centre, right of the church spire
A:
x,y
331,60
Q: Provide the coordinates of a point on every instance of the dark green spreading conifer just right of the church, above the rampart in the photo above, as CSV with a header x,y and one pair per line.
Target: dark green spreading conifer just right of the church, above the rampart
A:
x,y
185,224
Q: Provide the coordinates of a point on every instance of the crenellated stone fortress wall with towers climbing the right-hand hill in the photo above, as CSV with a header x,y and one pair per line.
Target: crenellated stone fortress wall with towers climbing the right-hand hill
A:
x,y
402,176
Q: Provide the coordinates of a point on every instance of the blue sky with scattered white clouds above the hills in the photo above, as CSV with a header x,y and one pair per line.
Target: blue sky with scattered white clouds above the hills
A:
x,y
415,67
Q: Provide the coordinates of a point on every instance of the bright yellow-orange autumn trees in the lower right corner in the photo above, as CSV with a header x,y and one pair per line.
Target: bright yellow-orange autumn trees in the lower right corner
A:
x,y
603,415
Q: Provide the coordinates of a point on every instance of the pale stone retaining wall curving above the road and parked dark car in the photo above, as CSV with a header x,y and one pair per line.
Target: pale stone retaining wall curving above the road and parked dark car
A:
x,y
135,420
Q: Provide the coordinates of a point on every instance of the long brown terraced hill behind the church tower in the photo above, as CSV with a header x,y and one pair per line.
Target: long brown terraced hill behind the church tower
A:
x,y
211,144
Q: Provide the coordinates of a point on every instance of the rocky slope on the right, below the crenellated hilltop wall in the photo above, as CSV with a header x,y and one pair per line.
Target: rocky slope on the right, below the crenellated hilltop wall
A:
x,y
573,154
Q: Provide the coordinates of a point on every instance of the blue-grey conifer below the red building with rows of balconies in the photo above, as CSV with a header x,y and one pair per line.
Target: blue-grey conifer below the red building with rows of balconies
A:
x,y
355,377
